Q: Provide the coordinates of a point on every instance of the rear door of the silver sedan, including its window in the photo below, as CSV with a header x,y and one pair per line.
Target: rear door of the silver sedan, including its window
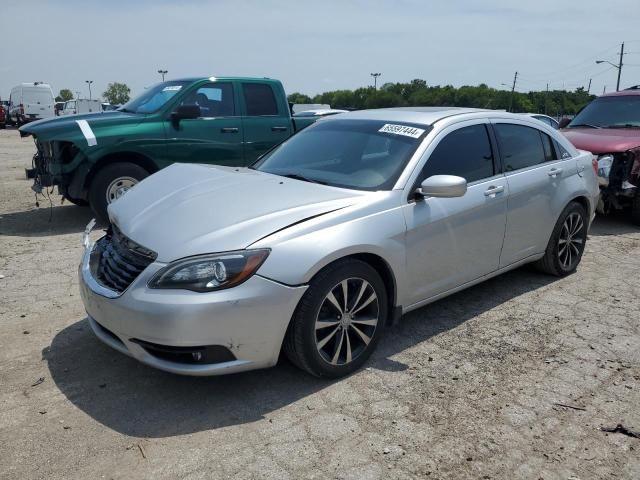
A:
x,y
538,179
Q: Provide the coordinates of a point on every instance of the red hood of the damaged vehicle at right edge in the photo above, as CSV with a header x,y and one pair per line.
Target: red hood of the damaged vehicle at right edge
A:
x,y
603,140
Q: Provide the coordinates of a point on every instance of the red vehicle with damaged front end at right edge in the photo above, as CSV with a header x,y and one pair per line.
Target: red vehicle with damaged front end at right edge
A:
x,y
609,127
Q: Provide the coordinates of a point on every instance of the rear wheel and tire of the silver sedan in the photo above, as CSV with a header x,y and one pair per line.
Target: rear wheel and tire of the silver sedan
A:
x,y
566,245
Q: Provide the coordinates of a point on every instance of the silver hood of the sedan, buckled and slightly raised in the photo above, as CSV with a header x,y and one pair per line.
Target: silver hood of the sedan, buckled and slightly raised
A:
x,y
188,209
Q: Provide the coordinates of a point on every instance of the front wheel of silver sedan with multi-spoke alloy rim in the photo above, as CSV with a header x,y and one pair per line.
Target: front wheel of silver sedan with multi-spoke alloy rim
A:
x,y
331,352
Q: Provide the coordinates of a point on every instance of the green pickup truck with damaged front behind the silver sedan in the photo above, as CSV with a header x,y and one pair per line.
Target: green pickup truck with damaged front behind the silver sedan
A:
x,y
95,158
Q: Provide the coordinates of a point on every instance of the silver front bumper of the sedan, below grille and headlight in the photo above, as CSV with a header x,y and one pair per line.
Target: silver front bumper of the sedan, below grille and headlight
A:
x,y
190,333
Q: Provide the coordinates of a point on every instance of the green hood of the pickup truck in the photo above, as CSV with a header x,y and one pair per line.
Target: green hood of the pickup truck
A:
x,y
51,126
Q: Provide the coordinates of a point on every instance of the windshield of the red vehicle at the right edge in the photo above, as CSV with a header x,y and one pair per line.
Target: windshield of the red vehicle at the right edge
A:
x,y
610,112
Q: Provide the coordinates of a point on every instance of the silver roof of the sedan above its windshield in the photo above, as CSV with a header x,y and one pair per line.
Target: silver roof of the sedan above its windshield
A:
x,y
420,115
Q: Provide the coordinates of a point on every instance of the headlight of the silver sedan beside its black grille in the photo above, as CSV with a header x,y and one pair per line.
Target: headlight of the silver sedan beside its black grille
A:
x,y
206,273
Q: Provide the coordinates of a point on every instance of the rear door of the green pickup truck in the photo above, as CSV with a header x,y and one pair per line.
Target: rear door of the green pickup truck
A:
x,y
265,121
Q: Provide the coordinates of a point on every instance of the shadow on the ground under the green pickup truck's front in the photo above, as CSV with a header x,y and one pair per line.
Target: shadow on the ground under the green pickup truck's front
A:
x,y
45,221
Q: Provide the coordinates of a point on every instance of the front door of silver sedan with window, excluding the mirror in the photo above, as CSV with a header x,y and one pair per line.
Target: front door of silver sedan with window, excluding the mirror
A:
x,y
452,241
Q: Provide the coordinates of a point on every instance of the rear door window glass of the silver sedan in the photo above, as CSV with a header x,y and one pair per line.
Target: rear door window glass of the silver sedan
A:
x,y
521,146
